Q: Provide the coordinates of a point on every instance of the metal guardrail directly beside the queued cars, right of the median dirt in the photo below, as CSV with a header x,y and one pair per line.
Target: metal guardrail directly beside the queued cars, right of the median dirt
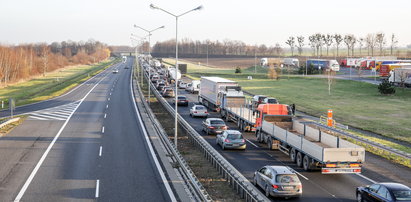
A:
x,y
236,180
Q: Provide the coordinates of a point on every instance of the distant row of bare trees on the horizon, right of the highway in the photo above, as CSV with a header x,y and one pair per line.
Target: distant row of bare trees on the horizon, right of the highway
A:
x,y
321,44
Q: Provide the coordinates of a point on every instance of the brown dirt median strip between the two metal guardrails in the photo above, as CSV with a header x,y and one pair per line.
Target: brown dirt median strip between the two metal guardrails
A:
x,y
215,185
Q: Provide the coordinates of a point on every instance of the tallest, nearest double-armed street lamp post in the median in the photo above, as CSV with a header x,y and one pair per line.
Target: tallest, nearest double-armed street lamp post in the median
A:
x,y
176,67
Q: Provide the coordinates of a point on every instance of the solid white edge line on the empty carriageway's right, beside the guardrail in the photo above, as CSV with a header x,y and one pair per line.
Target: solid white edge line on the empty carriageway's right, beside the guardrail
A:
x,y
153,155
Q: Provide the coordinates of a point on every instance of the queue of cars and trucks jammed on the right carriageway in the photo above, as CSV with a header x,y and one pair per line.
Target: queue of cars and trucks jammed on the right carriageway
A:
x,y
306,144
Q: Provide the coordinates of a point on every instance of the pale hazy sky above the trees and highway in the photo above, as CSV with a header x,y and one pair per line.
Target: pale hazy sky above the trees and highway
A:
x,y
254,22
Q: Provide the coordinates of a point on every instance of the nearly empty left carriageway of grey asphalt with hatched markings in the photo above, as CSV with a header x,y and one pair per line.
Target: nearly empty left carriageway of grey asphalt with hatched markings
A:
x,y
86,145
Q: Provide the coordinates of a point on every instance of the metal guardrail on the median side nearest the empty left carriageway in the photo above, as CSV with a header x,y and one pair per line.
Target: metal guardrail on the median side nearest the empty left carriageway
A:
x,y
194,185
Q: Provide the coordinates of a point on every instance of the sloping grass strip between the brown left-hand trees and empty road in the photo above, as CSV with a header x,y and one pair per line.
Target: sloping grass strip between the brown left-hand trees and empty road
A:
x,y
52,85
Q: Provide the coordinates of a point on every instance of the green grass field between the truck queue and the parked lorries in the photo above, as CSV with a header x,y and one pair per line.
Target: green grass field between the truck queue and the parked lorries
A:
x,y
354,103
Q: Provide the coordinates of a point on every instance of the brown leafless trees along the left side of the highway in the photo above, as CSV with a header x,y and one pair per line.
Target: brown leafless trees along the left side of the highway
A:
x,y
21,62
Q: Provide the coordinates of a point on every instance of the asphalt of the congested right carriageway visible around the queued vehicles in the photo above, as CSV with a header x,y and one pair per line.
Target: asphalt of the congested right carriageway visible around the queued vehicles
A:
x,y
316,186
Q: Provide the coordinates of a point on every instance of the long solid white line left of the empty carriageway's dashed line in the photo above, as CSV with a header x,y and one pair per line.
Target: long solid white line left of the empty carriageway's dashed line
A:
x,y
40,162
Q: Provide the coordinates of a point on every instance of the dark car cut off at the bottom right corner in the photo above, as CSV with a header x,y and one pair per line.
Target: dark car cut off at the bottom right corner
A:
x,y
387,191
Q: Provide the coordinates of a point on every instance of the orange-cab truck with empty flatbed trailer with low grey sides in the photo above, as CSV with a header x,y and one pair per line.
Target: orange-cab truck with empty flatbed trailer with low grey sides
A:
x,y
308,145
